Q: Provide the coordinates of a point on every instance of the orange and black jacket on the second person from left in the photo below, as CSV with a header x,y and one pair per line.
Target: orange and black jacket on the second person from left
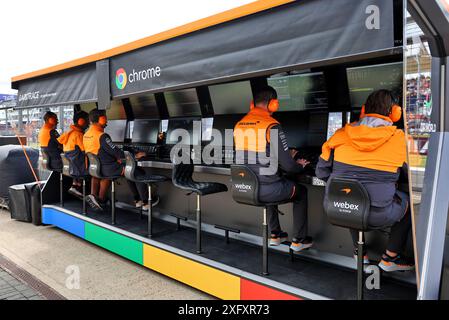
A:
x,y
73,148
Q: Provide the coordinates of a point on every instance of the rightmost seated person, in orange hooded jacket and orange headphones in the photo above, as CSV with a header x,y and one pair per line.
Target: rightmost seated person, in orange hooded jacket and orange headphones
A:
x,y
373,151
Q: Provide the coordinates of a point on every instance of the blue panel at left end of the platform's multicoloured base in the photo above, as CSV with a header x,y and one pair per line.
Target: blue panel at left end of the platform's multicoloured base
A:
x,y
63,221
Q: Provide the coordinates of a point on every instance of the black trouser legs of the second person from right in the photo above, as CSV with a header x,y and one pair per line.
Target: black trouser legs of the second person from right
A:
x,y
300,220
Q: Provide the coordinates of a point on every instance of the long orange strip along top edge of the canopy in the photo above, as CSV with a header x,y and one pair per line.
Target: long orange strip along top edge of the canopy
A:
x,y
222,17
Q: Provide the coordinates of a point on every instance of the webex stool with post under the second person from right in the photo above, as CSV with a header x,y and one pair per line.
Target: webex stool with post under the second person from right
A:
x,y
245,190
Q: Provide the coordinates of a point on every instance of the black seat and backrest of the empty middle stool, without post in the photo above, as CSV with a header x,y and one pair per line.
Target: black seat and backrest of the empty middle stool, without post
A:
x,y
182,178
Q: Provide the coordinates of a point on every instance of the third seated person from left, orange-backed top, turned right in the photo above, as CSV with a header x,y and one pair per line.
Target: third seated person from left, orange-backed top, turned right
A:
x,y
111,157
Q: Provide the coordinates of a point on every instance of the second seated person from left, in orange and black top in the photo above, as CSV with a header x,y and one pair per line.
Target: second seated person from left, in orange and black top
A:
x,y
73,148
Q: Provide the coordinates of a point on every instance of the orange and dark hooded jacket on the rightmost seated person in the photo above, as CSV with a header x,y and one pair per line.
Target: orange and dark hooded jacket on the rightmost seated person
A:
x,y
372,151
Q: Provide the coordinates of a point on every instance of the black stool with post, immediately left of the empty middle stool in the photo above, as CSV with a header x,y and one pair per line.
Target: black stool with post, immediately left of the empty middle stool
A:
x,y
130,174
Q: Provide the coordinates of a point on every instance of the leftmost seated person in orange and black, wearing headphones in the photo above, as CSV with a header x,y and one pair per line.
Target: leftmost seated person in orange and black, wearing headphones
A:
x,y
48,139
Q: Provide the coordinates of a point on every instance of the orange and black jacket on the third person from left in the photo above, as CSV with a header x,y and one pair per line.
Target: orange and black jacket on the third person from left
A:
x,y
98,142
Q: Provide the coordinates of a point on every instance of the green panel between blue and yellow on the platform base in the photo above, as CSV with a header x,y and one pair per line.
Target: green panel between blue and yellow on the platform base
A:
x,y
119,244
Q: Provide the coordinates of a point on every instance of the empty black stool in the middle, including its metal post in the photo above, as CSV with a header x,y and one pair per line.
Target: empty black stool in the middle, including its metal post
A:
x,y
182,178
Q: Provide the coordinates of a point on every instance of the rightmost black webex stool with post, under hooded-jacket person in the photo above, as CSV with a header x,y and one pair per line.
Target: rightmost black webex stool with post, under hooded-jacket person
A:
x,y
348,205
